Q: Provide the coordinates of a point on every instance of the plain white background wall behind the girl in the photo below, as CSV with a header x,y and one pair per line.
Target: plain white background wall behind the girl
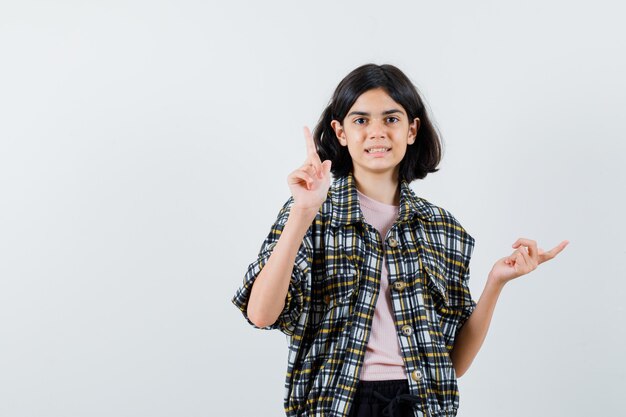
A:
x,y
144,152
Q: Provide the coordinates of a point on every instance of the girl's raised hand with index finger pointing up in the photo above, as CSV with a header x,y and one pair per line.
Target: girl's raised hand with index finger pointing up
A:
x,y
309,184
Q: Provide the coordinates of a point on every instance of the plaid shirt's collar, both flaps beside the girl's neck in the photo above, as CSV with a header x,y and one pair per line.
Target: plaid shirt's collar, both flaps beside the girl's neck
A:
x,y
347,210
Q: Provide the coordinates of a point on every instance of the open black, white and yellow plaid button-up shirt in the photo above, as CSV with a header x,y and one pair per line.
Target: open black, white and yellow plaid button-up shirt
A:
x,y
333,291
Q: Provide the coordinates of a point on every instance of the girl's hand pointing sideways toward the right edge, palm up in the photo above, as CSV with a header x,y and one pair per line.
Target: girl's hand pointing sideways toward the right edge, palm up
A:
x,y
523,260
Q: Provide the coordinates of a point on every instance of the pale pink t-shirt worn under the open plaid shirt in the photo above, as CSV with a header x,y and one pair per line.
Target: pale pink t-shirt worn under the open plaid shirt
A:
x,y
383,359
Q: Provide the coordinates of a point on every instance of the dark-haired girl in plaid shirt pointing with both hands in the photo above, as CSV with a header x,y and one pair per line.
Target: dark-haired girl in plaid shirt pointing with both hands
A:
x,y
369,281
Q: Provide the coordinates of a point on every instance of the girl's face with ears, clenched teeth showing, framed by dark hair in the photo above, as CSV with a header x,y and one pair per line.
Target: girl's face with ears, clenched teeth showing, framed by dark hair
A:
x,y
377,132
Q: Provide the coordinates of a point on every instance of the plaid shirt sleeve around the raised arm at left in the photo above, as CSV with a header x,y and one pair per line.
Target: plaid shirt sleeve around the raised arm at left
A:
x,y
296,293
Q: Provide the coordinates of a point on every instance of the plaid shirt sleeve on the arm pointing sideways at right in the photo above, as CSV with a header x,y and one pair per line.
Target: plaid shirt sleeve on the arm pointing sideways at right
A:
x,y
461,305
